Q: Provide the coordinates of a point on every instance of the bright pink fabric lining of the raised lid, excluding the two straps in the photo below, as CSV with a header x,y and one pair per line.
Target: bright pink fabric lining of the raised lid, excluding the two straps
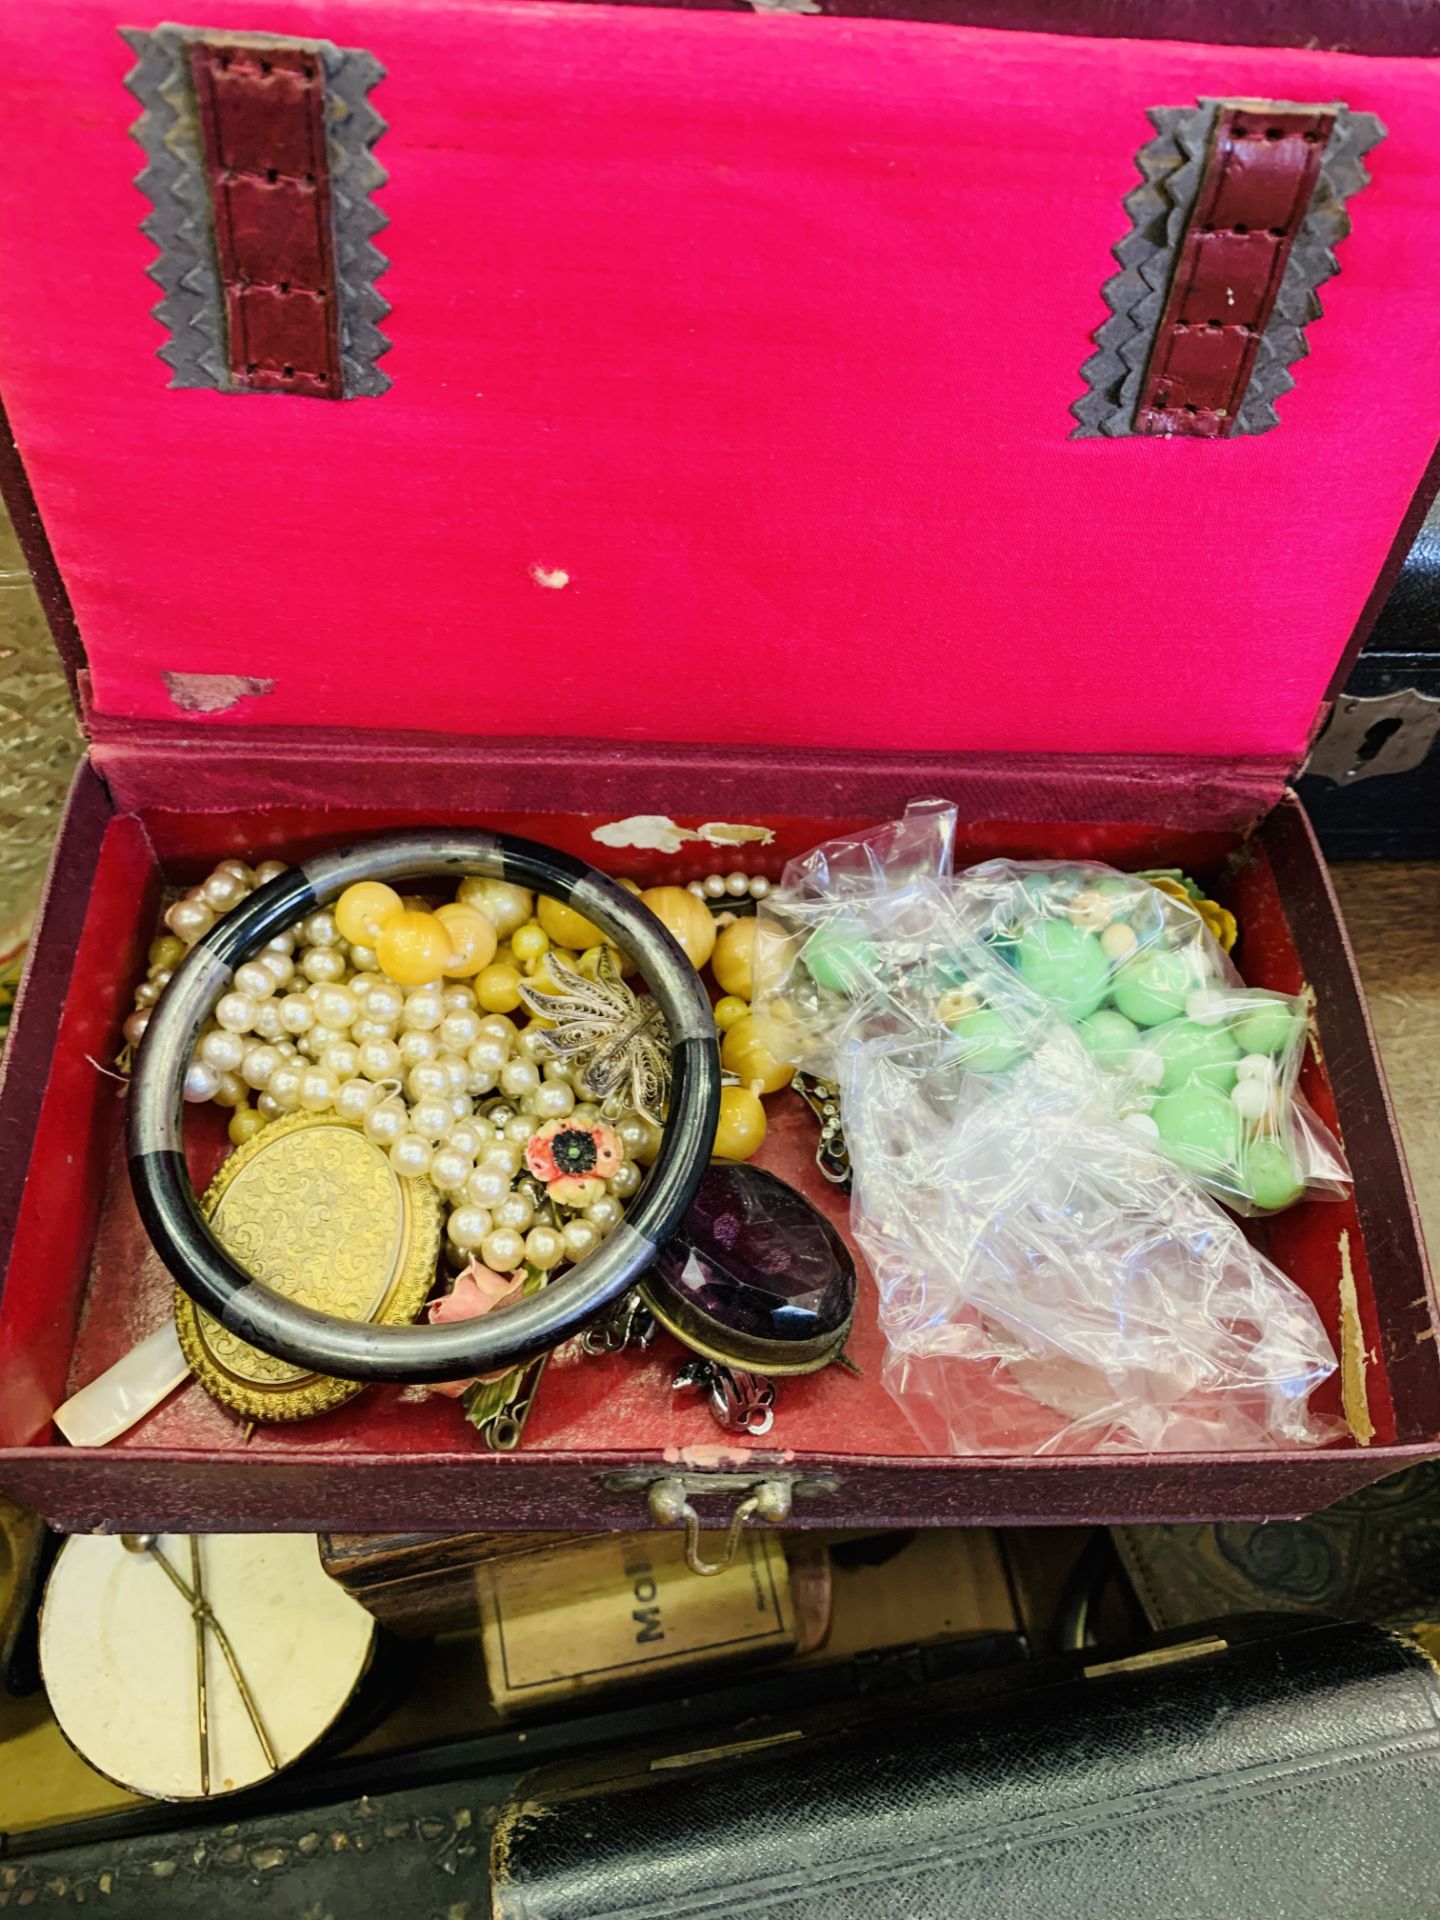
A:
x,y
731,379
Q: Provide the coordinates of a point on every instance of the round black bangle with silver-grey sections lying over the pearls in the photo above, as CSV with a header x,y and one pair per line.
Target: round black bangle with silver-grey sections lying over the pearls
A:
x,y
456,1351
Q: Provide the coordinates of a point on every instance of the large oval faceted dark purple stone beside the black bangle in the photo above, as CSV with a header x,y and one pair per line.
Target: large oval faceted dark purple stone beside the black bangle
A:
x,y
756,1259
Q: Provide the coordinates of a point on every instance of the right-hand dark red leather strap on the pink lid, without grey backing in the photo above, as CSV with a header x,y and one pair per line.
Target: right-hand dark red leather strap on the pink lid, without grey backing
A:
x,y
1255,195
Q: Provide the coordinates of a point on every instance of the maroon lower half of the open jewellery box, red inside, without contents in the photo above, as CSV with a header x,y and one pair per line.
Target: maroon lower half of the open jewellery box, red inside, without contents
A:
x,y
85,1285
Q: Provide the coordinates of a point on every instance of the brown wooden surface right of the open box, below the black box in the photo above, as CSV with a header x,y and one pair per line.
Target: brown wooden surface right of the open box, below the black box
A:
x,y
1393,911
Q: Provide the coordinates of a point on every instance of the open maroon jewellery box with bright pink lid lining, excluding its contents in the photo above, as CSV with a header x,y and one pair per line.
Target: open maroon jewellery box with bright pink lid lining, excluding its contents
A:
x,y
719,433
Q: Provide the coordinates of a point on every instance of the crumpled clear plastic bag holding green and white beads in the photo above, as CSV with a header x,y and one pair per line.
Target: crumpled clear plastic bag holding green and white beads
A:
x,y
1053,1278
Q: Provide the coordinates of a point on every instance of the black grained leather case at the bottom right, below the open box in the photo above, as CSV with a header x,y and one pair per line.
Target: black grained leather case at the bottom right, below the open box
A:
x,y
1255,1773
